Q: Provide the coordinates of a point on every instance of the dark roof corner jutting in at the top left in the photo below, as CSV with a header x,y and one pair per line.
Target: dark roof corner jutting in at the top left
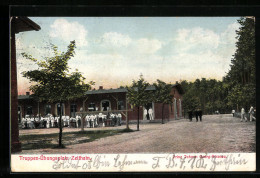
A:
x,y
22,24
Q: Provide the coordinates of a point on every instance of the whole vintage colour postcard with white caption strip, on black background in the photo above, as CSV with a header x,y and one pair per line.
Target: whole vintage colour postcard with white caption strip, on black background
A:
x,y
133,94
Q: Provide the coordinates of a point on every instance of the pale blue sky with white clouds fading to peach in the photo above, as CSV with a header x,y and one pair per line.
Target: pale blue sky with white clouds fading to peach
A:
x,y
114,51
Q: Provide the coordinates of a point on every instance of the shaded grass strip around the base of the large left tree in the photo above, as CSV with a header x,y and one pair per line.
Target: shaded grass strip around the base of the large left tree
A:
x,y
41,141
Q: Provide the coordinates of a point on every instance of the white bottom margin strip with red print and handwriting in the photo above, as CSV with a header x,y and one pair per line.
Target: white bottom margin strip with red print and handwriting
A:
x,y
135,162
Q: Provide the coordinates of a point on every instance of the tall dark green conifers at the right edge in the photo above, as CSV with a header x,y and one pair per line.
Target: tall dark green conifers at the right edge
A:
x,y
241,77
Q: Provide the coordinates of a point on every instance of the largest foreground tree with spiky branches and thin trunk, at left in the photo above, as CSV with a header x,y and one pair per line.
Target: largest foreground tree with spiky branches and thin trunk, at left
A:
x,y
53,82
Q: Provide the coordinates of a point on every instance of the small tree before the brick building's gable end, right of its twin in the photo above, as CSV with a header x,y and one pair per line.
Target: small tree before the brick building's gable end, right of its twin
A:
x,y
163,94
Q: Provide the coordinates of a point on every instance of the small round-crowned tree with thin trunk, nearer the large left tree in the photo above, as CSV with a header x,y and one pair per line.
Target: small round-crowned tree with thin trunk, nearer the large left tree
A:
x,y
137,95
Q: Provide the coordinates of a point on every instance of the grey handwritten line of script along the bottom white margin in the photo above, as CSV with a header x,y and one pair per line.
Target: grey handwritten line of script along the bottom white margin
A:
x,y
170,161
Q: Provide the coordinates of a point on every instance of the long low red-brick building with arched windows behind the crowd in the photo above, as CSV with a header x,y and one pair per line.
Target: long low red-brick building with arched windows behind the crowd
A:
x,y
103,100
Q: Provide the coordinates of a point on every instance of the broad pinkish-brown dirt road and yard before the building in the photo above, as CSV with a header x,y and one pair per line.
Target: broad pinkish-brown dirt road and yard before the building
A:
x,y
216,133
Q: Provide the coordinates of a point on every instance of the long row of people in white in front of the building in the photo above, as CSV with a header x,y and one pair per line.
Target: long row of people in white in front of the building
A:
x,y
91,121
